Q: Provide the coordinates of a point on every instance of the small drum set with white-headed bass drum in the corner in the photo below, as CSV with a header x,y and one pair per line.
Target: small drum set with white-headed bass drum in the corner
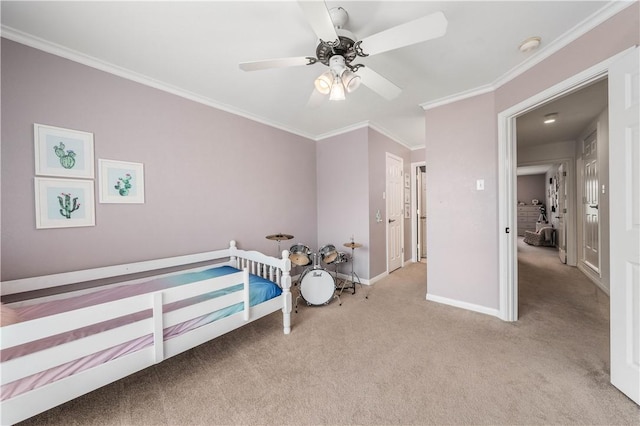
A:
x,y
316,283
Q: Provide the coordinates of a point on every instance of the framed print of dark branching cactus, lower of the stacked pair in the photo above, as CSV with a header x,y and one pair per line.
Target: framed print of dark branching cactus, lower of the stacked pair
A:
x,y
64,203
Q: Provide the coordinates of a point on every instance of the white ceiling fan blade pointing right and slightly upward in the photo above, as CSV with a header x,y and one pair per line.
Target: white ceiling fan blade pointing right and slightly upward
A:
x,y
422,29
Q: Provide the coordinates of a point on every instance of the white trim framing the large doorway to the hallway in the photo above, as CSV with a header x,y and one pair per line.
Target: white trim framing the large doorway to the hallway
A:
x,y
507,165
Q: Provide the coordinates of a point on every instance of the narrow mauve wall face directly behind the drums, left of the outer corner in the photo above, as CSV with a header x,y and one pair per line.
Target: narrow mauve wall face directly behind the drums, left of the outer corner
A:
x,y
343,196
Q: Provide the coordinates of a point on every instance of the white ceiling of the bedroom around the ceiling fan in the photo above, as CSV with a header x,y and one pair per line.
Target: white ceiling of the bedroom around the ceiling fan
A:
x,y
194,48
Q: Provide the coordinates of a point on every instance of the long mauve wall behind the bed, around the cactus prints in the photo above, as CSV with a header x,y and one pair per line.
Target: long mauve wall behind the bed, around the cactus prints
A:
x,y
210,176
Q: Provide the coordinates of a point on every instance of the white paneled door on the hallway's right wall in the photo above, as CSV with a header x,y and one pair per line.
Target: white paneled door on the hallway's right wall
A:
x,y
590,220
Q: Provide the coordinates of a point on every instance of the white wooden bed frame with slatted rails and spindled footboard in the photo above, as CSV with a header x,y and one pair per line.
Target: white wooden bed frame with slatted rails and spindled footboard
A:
x,y
30,403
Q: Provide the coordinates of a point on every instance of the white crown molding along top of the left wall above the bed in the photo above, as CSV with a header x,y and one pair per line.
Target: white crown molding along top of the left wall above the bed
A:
x,y
90,61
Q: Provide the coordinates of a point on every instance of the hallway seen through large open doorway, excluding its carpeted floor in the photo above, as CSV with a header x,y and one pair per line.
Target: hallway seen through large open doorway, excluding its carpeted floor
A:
x,y
562,166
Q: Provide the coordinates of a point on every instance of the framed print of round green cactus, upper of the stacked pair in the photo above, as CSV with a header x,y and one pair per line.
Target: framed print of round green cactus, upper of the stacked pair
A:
x,y
63,152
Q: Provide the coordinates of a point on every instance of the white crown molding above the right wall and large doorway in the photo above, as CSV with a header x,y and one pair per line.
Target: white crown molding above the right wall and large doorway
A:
x,y
601,15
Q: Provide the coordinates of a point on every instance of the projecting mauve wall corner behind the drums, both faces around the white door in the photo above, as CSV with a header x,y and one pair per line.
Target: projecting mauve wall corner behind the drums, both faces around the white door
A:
x,y
351,180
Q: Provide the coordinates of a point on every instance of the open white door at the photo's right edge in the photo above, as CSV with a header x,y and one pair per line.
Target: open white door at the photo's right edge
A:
x,y
624,231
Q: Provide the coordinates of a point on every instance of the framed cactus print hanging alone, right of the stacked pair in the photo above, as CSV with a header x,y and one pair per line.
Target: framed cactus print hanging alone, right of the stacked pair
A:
x,y
121,182
